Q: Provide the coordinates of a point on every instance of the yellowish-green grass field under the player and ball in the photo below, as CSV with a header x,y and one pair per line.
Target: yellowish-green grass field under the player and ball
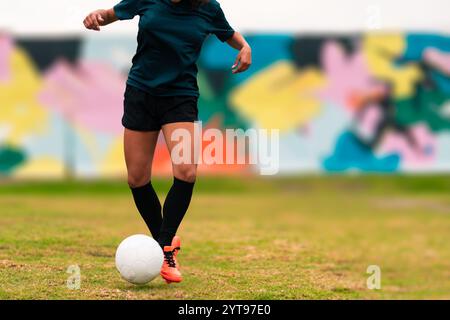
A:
x,y
285,238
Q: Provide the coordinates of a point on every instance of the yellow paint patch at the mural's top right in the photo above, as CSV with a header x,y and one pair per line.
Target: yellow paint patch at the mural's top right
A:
x,y
381,50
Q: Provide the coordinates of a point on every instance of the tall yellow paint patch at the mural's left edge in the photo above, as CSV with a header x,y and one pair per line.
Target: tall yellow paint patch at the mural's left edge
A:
x,y
19,107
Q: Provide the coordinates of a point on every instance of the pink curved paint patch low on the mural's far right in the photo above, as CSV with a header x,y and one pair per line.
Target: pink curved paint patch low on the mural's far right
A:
x,y
421,155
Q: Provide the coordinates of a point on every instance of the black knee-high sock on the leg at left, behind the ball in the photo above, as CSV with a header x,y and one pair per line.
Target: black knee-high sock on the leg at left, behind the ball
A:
x,y
149,207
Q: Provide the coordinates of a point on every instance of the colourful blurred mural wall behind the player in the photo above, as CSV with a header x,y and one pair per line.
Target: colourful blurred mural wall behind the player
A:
x,y
372,102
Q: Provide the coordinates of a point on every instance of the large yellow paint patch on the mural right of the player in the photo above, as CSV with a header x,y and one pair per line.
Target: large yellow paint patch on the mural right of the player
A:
x,y
280,97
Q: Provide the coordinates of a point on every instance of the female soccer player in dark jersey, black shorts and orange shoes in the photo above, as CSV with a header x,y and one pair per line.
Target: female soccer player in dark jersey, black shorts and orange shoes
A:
x,y
162,94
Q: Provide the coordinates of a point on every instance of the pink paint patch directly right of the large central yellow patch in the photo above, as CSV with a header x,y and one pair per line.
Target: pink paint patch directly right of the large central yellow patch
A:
x,y
346,74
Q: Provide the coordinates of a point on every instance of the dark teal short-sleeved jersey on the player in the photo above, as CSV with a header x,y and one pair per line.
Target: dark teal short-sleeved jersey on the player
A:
x,y
170,39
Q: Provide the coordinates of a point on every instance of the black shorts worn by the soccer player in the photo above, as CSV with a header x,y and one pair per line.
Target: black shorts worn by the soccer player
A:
x,y
145,112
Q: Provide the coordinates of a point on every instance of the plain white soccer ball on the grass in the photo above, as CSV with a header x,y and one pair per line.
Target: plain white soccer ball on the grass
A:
x,y
139,259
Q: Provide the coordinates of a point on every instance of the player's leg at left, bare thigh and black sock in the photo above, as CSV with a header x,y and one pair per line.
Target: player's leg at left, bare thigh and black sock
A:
x,y
139,147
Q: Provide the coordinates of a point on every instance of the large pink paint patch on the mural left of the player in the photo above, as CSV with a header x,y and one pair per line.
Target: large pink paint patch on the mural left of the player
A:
x,y
89,94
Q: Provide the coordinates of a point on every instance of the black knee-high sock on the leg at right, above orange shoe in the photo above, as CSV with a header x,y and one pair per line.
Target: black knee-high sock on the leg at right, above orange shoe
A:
x,y
175,207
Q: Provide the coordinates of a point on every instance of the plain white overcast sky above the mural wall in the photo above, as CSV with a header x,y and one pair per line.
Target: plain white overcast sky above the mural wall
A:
x,y
65,16
